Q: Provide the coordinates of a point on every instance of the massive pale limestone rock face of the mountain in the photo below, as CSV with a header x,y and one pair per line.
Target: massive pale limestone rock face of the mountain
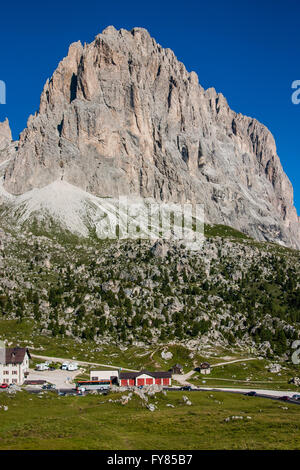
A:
x,y
123,116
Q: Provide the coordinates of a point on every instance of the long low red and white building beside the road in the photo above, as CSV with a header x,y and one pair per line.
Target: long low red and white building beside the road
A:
x,y
144,377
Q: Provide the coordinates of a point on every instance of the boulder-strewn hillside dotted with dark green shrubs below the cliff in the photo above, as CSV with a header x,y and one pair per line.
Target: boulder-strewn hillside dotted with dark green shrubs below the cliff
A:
x,y
234,291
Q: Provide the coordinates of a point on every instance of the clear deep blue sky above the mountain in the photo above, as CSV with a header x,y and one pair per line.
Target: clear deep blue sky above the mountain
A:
x,y
248,50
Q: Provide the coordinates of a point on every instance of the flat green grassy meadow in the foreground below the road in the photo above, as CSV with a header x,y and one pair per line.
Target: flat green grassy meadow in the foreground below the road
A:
x,y
48,422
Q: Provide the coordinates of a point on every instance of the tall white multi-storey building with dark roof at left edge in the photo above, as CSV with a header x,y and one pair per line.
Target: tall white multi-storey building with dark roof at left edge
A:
x,y
14,363
